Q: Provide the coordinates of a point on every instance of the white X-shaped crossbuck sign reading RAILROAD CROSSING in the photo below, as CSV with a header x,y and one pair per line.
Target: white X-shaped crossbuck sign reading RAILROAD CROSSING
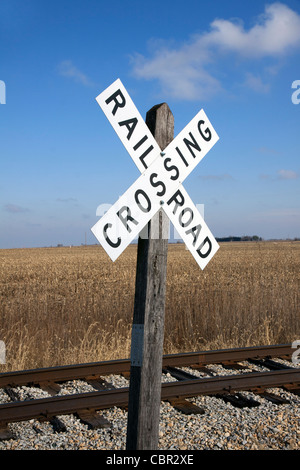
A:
x,y
160,184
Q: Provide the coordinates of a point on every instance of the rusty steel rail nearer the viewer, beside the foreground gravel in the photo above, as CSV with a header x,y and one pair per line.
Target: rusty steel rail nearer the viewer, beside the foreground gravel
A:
x,y
46,408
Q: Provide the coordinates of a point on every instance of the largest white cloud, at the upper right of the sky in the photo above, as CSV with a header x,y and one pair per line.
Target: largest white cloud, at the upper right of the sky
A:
x,y
184,72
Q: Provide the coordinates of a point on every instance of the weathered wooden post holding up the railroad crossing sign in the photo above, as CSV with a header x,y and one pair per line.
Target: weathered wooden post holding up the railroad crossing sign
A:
x,y
149,308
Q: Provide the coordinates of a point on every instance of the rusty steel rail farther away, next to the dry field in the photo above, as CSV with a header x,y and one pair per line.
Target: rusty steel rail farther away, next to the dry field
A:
x,y
96,369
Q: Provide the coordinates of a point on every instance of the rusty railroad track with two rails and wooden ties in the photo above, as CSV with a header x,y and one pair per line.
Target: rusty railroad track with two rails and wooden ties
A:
x,y
185,384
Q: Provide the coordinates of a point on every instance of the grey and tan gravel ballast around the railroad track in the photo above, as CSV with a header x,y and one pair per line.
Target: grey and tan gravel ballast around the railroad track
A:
x,y
223,426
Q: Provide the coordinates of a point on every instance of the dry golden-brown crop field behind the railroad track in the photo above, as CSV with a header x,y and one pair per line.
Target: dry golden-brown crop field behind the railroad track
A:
x,y
72,304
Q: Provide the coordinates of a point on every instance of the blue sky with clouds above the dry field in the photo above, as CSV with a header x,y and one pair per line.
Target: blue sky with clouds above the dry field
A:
x,y
61,159
